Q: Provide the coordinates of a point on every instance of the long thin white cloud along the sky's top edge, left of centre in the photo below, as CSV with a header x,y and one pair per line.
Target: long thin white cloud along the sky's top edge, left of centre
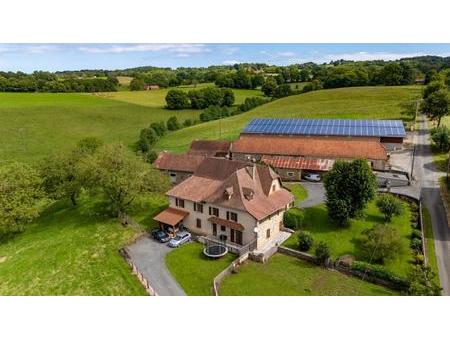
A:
x,y
180,49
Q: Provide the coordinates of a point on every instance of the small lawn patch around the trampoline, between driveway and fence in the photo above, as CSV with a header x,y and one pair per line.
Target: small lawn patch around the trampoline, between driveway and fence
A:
x,y
193,270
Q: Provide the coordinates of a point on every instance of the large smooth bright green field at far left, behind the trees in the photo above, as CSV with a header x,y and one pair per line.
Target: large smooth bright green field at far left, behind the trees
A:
x,y
33,125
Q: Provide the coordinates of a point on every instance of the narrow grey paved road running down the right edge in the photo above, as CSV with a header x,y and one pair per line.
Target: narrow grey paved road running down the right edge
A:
x,y
427,176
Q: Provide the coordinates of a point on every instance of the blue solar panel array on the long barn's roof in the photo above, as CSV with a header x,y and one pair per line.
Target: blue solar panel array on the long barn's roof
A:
x,y
331,127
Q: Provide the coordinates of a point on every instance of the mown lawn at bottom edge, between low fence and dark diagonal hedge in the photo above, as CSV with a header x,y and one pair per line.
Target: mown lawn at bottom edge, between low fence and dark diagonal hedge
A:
x,y
288,276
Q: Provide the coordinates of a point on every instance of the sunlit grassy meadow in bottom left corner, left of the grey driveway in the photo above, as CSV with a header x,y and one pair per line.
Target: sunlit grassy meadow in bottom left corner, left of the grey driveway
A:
x,y
71,251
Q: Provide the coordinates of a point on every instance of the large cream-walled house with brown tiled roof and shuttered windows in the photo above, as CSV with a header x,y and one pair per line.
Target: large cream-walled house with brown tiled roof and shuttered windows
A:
x,y
238,204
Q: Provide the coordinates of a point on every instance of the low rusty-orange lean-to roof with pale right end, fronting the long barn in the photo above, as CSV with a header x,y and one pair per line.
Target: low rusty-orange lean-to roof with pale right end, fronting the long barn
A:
x,y
291,162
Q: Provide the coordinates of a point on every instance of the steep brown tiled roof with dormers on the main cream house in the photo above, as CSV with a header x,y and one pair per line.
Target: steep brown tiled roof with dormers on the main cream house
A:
x,y
234,185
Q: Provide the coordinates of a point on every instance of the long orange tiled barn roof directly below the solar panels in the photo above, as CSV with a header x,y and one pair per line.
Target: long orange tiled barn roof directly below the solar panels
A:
x,y
319,147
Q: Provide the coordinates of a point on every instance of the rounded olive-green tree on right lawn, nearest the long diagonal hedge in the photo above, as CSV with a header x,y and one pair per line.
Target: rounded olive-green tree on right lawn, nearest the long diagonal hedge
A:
x,y
380,242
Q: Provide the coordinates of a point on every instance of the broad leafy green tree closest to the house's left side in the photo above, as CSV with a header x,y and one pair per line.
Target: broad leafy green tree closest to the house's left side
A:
x,y
122,176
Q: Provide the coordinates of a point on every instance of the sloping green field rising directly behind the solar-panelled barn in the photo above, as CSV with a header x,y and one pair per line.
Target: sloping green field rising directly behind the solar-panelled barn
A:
x,y
357,103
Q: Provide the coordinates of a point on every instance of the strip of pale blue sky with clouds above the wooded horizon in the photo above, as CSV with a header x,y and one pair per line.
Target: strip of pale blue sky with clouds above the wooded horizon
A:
x,y
53,57
